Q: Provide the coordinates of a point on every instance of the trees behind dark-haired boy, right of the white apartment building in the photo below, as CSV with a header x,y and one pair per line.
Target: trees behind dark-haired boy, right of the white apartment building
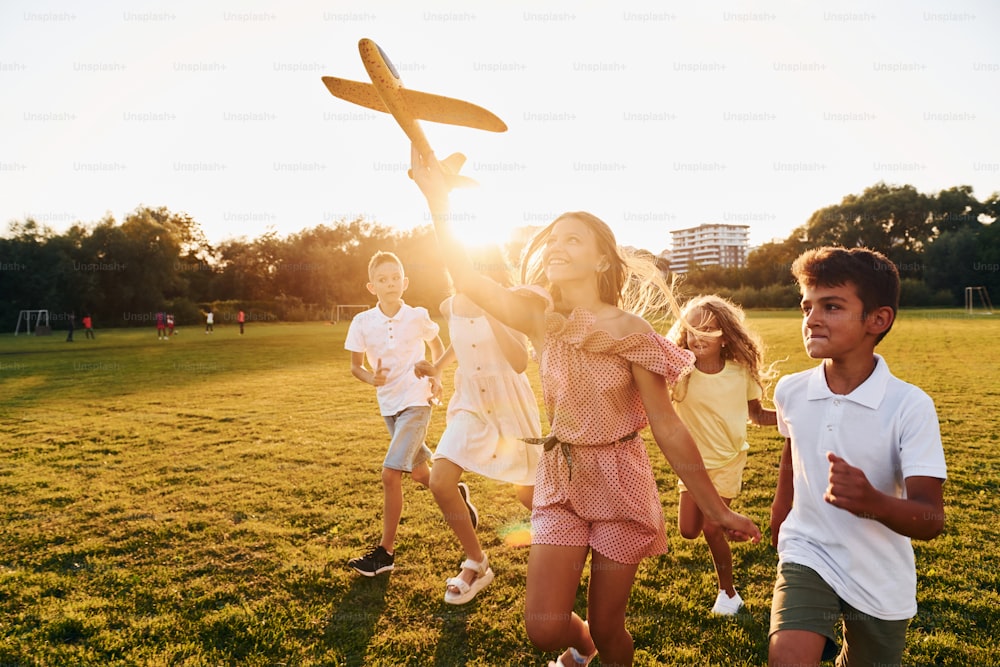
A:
x,y
940,243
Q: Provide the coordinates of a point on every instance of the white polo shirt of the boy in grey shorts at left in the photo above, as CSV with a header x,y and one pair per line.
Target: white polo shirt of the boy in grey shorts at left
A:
x,y
399,342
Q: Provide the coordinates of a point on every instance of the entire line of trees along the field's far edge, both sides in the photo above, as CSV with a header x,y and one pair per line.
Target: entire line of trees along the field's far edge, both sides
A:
x,y
156,259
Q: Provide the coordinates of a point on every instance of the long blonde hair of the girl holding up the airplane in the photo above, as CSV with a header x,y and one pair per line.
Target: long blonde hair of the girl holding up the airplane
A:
x,y
632,282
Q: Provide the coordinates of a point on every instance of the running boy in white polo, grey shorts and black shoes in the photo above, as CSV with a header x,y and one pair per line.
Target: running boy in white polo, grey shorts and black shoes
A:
x,y
393,336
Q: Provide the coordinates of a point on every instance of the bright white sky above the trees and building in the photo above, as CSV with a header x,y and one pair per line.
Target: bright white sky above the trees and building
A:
x,y
653,116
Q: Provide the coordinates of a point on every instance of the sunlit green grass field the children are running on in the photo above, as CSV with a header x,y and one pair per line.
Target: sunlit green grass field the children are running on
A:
x,y
194,502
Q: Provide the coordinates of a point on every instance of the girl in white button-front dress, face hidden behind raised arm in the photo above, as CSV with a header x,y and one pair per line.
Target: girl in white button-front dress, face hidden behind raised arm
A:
x,y
492,410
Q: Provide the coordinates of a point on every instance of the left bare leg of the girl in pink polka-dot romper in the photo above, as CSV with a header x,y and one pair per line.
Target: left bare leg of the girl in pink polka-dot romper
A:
x,y
553,577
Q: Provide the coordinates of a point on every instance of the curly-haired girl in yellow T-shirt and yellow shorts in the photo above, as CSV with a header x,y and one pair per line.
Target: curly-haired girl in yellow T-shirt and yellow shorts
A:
x,y
715,401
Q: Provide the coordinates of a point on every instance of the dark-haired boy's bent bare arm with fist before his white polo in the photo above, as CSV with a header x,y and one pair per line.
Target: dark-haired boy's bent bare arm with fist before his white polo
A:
x,y
920,515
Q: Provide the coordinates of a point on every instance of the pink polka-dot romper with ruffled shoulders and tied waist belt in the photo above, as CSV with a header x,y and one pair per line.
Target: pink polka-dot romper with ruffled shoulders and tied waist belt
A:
x,y
596,488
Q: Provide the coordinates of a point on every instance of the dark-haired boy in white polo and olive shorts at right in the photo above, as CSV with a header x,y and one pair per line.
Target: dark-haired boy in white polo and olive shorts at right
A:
x,y
861,473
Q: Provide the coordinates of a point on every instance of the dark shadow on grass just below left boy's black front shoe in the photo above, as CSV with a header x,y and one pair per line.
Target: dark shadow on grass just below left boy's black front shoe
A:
x,y
353,622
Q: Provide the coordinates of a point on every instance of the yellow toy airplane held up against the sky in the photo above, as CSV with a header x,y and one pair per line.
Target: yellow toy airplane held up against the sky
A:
x,y
386,93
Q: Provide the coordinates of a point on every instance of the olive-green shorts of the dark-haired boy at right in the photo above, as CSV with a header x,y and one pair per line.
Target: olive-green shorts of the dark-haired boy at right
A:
x,y
804,601
